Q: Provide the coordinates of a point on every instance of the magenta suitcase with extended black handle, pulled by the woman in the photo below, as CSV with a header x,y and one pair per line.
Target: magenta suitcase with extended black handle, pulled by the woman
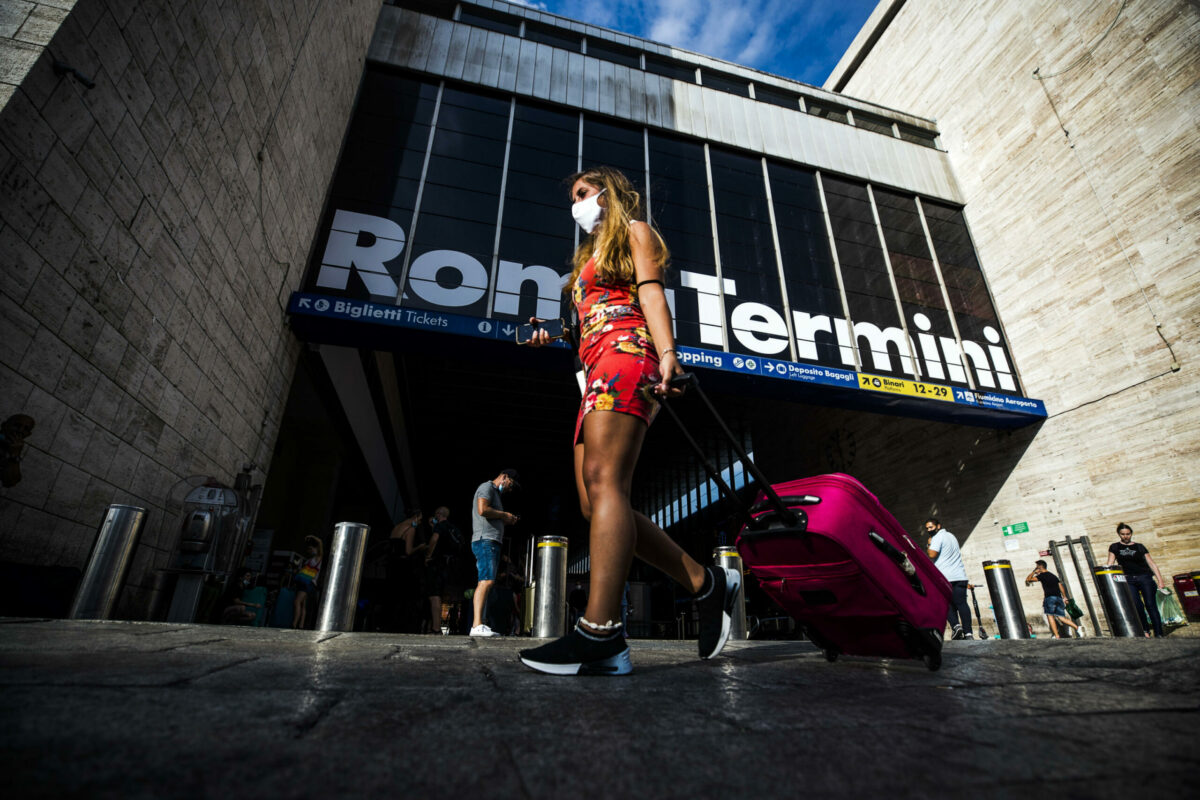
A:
x,y
839,563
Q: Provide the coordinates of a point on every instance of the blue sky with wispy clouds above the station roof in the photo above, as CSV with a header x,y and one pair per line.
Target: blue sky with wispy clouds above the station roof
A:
x,y
802,40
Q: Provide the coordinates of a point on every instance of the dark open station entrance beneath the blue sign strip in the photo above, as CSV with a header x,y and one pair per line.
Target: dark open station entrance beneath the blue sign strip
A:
x,y
381,424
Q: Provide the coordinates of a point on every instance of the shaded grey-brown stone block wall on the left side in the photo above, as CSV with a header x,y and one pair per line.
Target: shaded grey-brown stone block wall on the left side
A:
x,y
153,227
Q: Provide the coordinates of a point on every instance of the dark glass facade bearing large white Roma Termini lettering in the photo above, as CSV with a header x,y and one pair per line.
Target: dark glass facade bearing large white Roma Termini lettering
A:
x,y
452,199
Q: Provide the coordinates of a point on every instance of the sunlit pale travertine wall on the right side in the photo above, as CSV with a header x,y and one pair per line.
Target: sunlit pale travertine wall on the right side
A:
x,y
1089,242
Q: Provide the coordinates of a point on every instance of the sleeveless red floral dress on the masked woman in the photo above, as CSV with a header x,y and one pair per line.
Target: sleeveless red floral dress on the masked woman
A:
x,y
619,354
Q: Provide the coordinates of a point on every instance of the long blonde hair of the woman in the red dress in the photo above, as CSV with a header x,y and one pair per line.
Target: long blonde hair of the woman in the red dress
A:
x,y
610,239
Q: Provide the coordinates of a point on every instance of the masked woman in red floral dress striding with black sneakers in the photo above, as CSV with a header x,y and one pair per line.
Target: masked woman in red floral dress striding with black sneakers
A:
x,y
627,347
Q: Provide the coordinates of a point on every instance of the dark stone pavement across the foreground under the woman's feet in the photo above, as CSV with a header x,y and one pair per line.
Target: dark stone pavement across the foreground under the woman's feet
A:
x,y
155,711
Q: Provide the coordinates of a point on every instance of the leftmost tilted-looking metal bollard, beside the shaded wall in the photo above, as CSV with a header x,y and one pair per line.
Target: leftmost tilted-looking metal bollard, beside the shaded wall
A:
x,y
110,563
